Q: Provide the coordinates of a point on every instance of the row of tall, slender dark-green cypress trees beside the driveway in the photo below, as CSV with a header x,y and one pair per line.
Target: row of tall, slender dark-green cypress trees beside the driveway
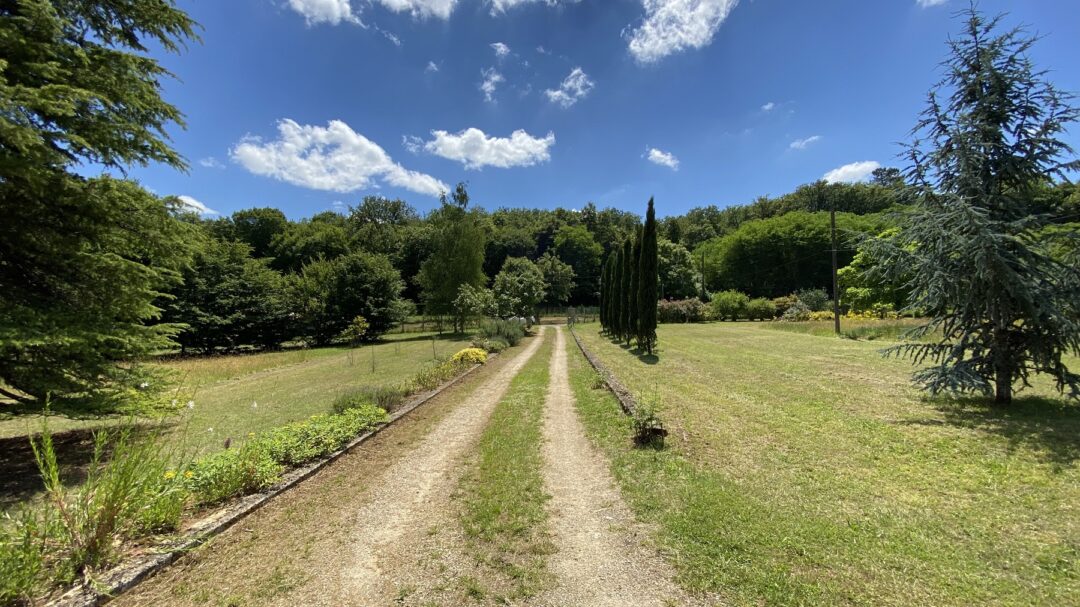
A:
x,y
629,289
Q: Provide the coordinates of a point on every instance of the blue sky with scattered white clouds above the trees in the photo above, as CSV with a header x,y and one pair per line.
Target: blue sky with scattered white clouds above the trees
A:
x,y
310,105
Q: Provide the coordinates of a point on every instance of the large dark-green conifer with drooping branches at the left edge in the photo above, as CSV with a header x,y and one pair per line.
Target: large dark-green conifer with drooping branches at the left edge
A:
x,y
83,261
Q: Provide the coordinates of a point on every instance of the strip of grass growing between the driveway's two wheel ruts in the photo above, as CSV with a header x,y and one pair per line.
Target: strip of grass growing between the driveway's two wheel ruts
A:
x,y
503,496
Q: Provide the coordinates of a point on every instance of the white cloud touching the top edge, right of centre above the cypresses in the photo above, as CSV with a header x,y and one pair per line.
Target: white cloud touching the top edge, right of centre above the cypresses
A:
x,y
672,26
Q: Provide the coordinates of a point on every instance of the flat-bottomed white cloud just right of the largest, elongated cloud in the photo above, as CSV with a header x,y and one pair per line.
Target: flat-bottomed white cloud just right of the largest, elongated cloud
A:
x,y
475,150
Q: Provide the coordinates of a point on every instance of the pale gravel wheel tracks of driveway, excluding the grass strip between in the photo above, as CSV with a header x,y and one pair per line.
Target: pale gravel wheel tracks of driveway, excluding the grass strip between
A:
x,y
358,533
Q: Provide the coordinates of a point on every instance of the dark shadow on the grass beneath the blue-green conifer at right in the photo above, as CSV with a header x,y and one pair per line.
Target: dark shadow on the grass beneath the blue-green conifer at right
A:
x,y
1050,426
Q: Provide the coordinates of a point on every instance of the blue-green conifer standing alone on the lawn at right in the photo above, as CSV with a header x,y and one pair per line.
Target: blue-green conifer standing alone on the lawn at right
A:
x,y
974,249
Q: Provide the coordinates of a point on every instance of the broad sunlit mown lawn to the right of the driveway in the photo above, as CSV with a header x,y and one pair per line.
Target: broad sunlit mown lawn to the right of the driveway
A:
x,y
809,471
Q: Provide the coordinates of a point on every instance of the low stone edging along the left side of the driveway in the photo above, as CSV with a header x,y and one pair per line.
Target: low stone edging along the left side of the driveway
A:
x,y
128,575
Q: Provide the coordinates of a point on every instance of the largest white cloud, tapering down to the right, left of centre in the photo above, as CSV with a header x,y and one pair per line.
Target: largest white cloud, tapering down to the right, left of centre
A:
x,y
333,158
